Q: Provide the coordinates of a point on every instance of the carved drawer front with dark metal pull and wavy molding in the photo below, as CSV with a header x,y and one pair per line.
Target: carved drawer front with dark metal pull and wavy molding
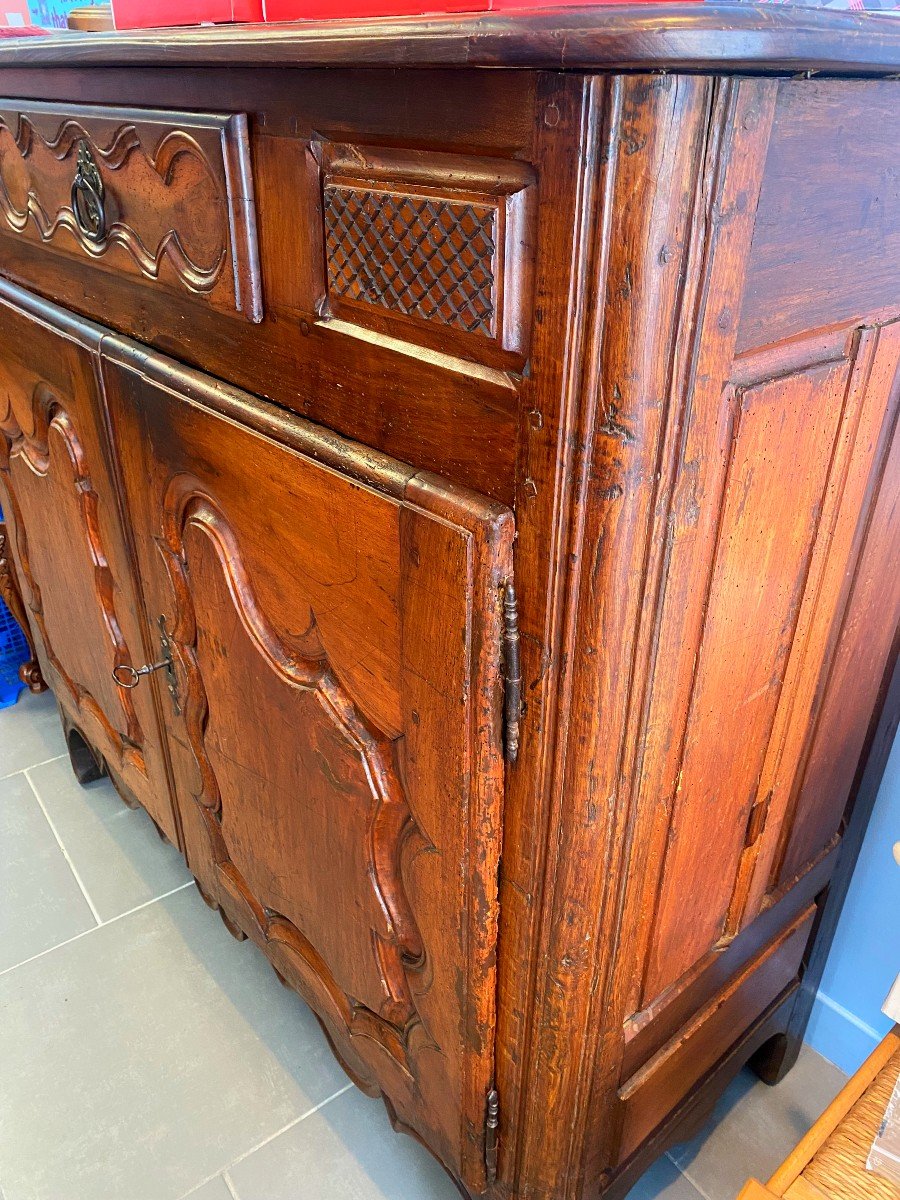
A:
x,y
164,197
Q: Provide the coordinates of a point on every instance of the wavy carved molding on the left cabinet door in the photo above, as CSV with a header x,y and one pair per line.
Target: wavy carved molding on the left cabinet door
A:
x,y
50,415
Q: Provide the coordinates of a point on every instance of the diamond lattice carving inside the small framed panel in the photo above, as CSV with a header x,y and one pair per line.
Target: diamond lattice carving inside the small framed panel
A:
x,y
418,256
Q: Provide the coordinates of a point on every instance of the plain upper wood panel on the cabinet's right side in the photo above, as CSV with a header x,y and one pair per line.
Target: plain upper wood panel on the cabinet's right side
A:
x,y
831,170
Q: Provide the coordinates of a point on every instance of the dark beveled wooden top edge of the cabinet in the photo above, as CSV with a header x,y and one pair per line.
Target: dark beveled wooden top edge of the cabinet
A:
x,y
631,38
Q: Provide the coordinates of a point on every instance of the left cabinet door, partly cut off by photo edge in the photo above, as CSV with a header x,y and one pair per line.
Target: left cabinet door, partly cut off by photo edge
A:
x,y
58,493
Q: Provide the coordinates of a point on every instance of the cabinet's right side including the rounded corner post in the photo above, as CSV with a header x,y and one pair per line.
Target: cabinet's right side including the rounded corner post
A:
x,y
715,613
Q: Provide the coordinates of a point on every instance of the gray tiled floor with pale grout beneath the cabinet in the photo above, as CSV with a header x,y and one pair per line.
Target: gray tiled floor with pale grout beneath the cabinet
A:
x,y
146,1055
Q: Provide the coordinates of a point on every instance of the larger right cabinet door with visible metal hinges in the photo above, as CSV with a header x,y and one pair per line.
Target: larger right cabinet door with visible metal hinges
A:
x,y
335,626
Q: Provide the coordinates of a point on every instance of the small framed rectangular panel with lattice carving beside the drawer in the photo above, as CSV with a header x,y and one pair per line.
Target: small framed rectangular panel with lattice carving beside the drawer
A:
x,y
422,243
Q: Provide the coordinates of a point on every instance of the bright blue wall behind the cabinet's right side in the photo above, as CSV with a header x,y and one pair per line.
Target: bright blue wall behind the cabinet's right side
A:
x,y
848,1022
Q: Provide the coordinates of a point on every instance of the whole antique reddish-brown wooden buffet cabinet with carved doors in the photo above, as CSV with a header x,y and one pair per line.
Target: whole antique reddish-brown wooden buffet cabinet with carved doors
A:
x,y
487,431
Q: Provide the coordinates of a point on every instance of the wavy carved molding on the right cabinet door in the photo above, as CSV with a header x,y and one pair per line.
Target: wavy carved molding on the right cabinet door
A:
x,y
398,945
